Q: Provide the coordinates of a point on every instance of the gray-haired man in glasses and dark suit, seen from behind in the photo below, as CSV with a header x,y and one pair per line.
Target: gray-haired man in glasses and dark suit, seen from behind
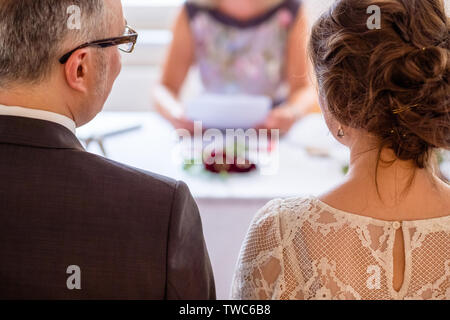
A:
x,y
74,225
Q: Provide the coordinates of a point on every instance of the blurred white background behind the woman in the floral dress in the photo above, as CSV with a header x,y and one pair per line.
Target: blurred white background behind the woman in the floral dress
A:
x,y
153,19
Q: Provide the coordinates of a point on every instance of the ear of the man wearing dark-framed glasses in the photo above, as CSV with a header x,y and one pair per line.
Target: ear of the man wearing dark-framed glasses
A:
x,y
76,70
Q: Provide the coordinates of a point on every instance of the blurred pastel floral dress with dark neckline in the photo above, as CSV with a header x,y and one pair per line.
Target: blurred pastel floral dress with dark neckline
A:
x,y
243,57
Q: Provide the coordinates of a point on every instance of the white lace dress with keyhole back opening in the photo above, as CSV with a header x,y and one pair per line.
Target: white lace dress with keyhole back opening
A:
x,y
301,248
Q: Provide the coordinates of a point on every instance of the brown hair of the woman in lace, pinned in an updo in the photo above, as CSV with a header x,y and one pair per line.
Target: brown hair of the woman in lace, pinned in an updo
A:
x,y
392,82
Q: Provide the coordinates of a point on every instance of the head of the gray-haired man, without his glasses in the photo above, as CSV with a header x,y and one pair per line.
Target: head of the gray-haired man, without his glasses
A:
x,y
35,34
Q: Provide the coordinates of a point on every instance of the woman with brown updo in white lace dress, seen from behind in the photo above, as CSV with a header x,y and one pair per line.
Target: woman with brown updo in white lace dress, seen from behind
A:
x,y
384,233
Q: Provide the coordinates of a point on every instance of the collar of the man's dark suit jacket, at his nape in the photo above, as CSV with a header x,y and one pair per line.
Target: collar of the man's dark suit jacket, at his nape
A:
x,y
37,133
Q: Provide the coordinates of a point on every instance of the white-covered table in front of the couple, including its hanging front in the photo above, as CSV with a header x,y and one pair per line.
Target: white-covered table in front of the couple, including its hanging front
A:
x,y
226,205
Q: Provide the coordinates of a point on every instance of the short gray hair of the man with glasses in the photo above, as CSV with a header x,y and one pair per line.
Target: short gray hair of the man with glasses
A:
x,y
35,33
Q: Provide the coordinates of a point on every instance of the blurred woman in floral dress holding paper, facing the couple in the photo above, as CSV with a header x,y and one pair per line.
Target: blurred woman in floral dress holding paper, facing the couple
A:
x,y
241,47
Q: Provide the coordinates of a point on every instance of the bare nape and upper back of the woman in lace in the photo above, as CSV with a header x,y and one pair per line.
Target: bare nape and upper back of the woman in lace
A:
x,y
384,180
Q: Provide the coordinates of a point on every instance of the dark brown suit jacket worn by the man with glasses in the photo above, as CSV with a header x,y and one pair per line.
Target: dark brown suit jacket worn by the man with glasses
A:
x,y
134,235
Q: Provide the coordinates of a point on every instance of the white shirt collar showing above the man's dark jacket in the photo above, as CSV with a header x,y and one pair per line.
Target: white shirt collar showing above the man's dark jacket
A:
x,y
39,114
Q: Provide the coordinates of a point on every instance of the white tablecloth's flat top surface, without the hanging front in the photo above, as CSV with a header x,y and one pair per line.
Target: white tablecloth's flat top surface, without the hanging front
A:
x,y
153,146
